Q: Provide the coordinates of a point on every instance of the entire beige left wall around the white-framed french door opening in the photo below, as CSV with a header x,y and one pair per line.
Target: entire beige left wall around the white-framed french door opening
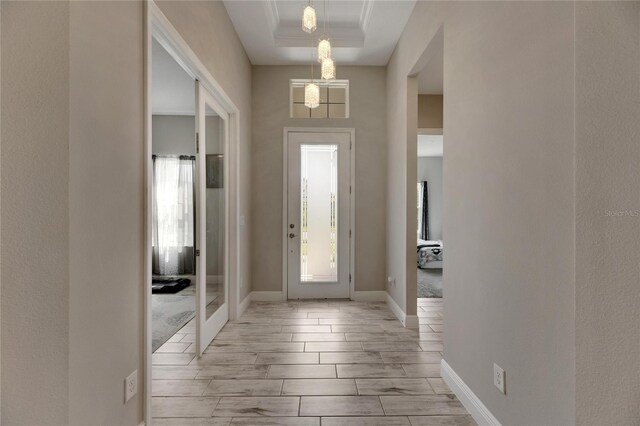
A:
x,y
72,322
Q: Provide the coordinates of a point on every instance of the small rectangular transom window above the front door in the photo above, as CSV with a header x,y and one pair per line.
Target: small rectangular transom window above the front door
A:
x,y
334,100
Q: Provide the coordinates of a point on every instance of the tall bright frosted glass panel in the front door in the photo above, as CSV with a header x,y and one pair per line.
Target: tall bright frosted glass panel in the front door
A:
x,y
319,213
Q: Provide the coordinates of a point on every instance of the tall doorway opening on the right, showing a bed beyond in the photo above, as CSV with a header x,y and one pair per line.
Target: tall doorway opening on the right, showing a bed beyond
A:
x,y
429,178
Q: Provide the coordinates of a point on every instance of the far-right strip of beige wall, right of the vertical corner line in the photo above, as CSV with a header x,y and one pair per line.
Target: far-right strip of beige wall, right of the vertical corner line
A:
x,y
607,246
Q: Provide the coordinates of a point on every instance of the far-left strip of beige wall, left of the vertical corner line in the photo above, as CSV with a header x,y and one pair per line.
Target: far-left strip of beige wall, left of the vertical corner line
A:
x,y
35,212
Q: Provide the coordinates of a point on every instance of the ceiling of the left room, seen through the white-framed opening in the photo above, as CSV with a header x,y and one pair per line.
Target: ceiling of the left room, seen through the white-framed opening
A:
x,y
173,89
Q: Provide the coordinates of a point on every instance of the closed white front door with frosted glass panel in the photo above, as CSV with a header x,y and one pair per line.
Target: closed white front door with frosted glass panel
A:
x,y
318,214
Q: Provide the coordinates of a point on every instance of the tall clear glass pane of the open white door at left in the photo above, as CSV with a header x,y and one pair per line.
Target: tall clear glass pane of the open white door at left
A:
x,y
215,211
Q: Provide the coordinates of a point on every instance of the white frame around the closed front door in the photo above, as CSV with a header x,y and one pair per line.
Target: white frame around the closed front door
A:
x,y
352,196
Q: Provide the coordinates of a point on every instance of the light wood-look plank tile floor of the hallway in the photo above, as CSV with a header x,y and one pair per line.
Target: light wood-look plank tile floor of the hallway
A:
x,y
309,363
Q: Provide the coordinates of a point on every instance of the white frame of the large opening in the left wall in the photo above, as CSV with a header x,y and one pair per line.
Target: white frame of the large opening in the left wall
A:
x,y
157,26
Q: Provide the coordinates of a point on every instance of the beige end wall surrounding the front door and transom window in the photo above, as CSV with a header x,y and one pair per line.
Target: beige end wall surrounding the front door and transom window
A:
x,y
270,116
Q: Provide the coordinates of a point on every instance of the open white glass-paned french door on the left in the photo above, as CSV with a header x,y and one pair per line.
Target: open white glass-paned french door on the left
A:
x,y
212,218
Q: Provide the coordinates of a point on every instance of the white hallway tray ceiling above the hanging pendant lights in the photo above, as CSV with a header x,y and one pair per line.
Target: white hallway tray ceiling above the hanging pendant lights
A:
x,y
363,32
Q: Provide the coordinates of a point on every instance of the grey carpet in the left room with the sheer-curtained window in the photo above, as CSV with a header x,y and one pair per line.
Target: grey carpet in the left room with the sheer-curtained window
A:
x,y
170,312
